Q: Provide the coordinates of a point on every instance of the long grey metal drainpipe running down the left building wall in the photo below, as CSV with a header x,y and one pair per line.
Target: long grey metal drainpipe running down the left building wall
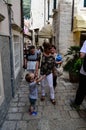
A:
x,y
11,49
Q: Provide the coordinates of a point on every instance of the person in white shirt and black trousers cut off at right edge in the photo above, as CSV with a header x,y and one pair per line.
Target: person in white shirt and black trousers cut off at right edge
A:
x,y
81,91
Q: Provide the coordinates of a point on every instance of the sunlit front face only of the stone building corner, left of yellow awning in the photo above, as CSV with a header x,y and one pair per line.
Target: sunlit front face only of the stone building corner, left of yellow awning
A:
x,y
65,33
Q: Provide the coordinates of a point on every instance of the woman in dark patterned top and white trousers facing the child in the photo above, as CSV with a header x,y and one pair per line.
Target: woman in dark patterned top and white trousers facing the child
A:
x,y
47,65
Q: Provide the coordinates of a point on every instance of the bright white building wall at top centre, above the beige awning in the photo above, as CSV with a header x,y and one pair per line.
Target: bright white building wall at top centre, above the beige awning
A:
x,y
39,13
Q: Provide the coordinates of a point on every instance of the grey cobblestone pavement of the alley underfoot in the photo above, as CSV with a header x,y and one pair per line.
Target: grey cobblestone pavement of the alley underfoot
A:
x,y
49,117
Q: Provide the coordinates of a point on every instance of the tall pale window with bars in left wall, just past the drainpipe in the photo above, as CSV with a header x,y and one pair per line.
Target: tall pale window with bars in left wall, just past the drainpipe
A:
x,y
16,54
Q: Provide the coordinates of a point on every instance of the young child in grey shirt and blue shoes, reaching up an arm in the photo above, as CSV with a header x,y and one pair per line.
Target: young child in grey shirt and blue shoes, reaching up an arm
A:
x,y
33,90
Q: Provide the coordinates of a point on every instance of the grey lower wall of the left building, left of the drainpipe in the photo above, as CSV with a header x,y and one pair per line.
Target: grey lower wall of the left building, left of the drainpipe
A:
x,y
6,74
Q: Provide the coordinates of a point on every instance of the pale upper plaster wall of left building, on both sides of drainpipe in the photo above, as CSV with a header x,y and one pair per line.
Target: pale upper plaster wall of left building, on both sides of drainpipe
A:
x,y
4,25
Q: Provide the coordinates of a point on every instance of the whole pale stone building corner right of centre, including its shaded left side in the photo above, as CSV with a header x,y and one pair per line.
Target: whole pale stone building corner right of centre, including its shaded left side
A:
x,y
63,33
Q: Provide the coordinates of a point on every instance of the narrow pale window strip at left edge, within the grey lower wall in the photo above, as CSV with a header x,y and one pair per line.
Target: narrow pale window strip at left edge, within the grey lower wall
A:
x,y
1,84
